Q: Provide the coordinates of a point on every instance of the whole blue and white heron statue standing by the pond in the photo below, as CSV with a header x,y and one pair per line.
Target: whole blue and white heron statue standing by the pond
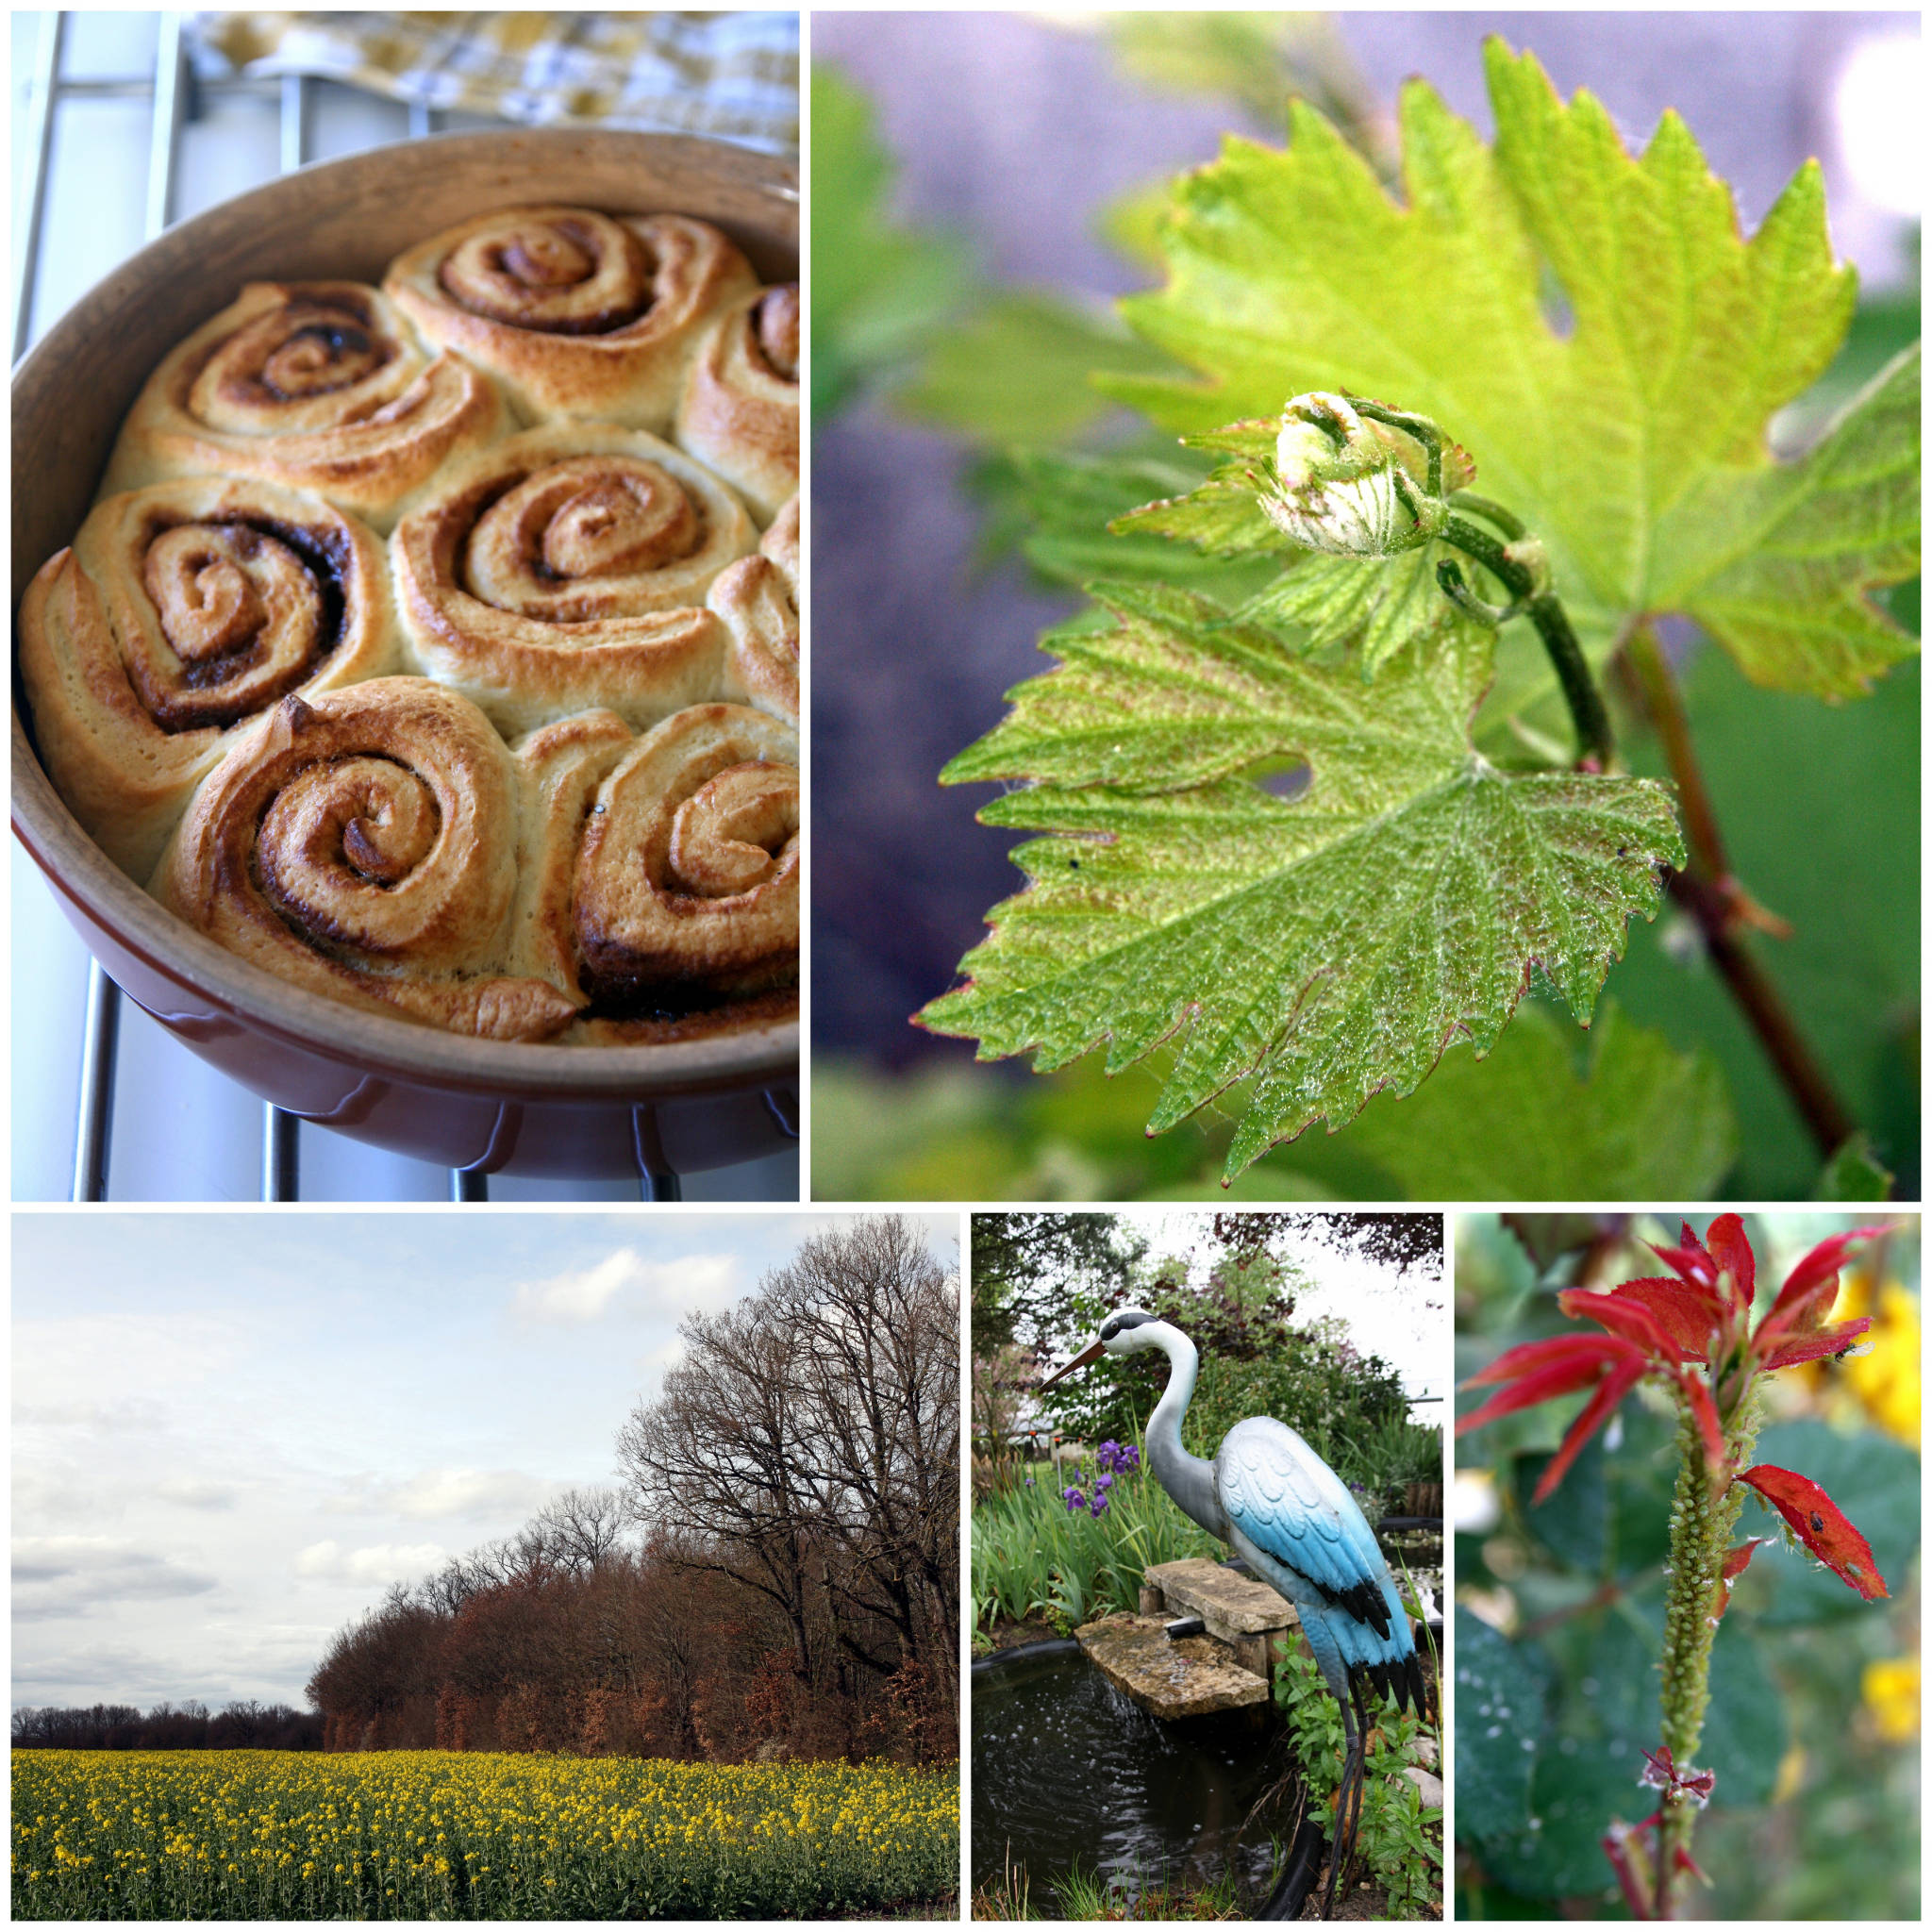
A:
x,y
1299,1529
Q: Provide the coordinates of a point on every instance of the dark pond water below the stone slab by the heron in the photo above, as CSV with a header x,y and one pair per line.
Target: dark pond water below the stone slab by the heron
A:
x,y
1069,1771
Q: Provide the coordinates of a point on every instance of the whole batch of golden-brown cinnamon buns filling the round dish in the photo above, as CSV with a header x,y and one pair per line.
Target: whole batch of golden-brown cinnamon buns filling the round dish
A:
x,y
213,664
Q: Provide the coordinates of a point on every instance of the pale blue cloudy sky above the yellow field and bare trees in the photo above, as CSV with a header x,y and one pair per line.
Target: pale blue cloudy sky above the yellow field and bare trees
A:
x,y
233,1431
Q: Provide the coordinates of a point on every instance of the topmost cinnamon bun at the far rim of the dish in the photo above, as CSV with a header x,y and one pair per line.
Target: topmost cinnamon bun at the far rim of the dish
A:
x,y
579,314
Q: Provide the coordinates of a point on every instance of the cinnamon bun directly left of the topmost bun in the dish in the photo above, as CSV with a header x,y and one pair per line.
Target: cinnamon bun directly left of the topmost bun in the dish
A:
x,y
318,385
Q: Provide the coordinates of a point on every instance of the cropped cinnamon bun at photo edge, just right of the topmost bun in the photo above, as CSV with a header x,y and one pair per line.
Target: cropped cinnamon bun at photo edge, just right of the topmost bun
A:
x,y
741,399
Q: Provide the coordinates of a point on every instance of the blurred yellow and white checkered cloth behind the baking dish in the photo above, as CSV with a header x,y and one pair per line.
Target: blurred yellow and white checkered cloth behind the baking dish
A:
x,y
729,76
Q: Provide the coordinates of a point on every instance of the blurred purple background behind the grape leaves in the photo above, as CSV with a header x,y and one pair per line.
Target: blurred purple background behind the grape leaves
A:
x,y
1015,134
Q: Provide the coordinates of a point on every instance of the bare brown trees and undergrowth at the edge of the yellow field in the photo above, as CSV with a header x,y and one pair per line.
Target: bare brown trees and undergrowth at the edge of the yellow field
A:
x,y
776,1577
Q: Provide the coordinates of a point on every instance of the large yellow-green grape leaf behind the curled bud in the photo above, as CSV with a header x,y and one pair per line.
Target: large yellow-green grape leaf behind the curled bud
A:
x,y
1634,440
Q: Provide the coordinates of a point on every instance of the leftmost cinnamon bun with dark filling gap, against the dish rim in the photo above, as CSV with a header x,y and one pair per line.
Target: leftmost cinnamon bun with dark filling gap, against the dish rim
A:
x,y
179,617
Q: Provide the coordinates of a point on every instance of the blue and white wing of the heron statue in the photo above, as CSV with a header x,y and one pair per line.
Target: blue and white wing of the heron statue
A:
x,y
1292,1506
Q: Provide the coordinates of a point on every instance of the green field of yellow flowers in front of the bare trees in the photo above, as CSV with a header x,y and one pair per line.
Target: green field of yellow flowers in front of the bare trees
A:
x,y
434,1834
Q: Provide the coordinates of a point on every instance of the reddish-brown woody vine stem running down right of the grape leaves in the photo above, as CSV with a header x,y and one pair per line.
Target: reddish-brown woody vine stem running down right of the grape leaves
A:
x,y
1722,907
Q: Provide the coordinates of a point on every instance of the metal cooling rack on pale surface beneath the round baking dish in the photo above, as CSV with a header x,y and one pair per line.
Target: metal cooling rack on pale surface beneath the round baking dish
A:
x,y
119,136
